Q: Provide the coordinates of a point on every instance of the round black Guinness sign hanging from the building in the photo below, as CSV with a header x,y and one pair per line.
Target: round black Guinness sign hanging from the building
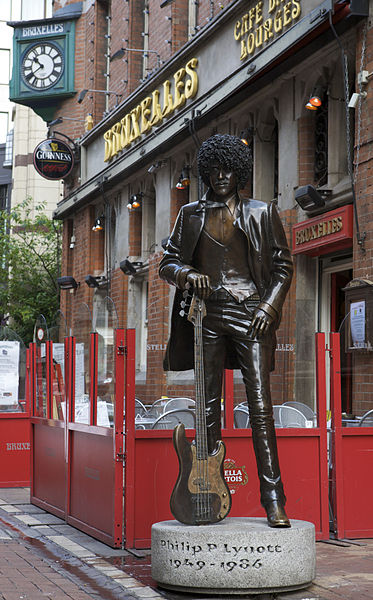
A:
x,y
53,159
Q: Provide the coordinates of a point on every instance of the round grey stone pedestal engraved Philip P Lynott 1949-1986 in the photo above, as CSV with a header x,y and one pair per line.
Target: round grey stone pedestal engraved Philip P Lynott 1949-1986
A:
x,y
237,556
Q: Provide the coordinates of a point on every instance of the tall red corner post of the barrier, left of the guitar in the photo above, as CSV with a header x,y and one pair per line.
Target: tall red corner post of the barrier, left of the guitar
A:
x,y
119,437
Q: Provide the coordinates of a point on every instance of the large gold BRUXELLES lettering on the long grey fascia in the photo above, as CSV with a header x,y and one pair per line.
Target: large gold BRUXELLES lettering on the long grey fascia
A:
x,y
152,110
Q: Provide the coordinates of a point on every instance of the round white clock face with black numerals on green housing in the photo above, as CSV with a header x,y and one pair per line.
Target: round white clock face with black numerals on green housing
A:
x,y
42,66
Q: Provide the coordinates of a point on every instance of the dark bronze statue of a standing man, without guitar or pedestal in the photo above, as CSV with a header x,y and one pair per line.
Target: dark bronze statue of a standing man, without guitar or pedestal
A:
x,y
234,253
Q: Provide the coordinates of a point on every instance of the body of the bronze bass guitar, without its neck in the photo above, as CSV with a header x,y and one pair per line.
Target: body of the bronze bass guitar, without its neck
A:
x,y
191,503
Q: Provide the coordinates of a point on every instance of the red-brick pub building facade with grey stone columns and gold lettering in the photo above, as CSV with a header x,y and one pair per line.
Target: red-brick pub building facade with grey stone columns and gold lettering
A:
x,y
255,66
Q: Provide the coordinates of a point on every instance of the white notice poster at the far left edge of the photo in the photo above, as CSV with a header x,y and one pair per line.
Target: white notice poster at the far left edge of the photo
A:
x,y
9,374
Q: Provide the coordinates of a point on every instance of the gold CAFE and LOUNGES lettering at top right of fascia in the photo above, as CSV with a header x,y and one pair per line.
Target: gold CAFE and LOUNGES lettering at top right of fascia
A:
x,y
263,22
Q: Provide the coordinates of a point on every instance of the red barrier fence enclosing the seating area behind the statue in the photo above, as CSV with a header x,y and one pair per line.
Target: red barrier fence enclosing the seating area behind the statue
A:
x,y
82,470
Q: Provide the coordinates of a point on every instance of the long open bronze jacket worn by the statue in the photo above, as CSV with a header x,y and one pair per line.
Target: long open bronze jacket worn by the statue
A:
x,y
269,263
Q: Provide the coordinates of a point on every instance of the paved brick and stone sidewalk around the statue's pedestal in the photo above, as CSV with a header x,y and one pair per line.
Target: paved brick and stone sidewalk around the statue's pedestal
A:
x,y
41,557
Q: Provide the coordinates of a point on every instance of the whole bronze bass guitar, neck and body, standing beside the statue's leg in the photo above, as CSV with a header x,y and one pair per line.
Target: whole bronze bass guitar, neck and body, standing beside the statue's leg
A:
x,y
201,494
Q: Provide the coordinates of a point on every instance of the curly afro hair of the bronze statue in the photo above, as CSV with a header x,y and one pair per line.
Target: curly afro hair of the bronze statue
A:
x,y
228,151
